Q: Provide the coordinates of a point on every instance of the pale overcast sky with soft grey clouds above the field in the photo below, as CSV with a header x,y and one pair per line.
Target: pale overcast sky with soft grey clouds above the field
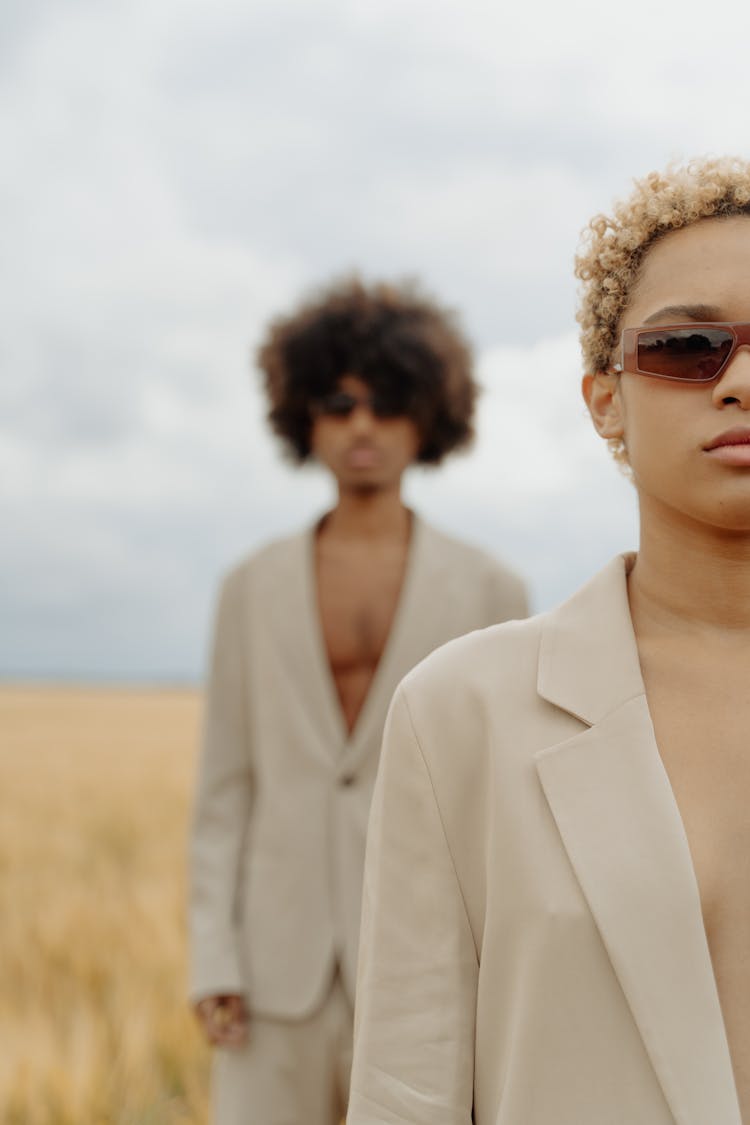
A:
x,y
177,172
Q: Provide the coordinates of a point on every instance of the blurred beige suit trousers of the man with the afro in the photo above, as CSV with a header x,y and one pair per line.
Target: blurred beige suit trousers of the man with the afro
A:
x,y
291,1072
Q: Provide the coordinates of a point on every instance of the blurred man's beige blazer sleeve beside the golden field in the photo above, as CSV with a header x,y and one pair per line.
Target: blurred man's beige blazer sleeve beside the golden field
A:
x,y
222,807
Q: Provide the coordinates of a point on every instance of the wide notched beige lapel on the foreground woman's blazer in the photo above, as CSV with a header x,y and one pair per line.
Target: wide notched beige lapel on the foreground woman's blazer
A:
x,y
615,808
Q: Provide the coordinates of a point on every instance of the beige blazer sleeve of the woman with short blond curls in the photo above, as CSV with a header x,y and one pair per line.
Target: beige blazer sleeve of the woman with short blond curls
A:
x,y
418,973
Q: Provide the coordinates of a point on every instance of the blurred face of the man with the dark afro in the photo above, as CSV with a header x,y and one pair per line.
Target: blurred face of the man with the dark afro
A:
x,y
365,453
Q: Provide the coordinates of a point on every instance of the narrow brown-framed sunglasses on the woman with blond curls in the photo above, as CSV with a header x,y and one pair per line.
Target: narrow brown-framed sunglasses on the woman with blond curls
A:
x,y
684,353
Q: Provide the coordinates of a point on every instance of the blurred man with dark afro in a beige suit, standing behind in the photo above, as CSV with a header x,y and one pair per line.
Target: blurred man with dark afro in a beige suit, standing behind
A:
x,y
313,635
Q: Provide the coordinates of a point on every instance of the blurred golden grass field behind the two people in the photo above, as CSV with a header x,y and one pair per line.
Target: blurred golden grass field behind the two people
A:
x,y
95,1028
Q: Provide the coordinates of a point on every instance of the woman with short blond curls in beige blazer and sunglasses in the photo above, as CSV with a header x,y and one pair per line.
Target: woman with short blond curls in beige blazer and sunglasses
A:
x,y
557,903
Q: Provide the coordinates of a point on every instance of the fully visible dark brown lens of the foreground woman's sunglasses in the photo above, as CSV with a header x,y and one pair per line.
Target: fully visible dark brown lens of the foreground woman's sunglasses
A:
x,y
694,355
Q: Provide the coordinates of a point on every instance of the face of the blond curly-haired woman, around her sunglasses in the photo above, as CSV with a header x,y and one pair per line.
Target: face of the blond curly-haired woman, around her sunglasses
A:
x,y
699,274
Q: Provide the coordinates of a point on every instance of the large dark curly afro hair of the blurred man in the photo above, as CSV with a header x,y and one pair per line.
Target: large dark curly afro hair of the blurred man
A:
x,y
395,338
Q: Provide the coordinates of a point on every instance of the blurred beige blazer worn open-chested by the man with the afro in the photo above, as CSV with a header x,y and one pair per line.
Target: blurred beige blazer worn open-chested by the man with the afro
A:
x,y
284,793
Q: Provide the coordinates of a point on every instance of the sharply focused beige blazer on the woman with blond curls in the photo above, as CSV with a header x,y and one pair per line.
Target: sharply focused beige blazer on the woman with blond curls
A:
x,y
534,949
